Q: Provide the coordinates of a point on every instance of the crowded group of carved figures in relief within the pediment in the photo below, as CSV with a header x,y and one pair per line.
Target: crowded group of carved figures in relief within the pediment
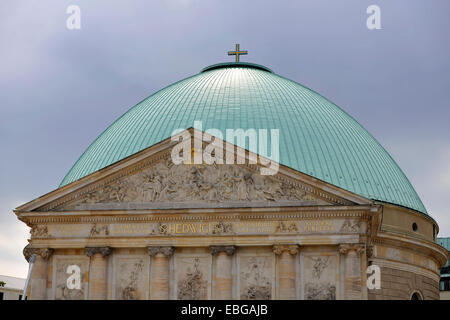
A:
x,y
219,183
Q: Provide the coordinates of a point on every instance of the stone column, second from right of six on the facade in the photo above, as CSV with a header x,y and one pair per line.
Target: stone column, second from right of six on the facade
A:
x,y
286,270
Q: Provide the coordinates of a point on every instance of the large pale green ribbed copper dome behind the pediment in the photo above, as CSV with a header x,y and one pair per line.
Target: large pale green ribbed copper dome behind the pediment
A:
x,y
316,136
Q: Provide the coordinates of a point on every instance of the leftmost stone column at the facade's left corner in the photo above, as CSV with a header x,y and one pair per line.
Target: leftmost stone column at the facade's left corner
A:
x,y
38,281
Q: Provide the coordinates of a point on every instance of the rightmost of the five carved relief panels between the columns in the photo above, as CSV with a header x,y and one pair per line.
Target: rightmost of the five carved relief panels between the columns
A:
x,y
319,276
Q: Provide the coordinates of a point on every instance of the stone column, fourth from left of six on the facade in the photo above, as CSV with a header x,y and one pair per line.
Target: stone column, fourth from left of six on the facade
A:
x,y
224,280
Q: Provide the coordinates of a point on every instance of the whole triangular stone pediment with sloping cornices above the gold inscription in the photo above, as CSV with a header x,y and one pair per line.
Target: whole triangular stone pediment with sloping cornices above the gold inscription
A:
x,y
150,180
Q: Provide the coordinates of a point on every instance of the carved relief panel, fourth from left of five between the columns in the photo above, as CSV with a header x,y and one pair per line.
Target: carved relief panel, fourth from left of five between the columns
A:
x,y
255,277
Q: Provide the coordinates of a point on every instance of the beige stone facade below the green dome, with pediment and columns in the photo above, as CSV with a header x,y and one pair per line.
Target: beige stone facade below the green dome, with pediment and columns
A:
x,y
146,229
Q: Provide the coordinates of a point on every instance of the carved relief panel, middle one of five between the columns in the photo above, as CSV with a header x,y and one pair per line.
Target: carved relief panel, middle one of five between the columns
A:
x,y
193,274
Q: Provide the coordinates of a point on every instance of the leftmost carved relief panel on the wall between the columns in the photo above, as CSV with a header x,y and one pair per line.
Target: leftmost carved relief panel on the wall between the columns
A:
x,y
70,277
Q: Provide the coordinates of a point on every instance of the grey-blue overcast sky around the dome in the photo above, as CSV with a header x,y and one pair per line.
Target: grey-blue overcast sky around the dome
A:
x,y
60,88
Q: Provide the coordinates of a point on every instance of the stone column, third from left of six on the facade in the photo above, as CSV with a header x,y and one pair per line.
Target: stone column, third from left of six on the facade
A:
x,y
160,272
